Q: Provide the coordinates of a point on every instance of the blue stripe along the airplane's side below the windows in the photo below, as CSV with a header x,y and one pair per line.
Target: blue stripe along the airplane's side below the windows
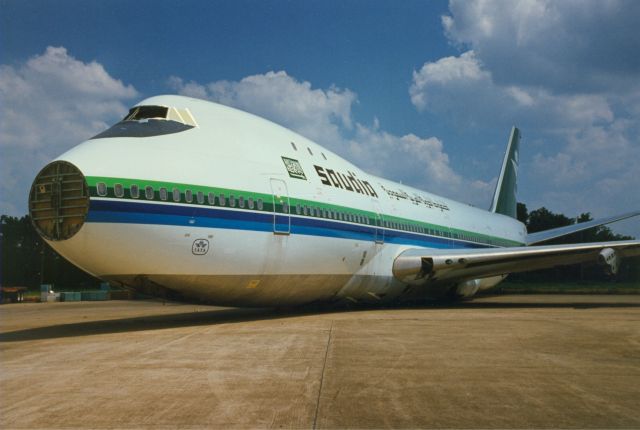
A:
x,y
110,211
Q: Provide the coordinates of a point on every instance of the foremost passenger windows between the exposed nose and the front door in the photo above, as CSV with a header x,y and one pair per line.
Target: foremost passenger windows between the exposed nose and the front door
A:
x,y
176,196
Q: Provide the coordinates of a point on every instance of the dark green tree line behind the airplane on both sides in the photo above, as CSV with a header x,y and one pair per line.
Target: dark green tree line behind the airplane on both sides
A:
x,y
28,261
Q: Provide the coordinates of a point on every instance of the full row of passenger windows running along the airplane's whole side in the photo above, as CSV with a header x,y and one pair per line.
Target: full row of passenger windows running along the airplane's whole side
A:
x,y
240,202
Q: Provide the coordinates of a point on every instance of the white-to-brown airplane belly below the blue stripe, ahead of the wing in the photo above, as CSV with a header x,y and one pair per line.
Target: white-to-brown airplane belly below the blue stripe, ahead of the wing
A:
x,y
233,267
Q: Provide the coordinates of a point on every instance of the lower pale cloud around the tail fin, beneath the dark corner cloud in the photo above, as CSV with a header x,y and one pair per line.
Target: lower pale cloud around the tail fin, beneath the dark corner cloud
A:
x,y
584,141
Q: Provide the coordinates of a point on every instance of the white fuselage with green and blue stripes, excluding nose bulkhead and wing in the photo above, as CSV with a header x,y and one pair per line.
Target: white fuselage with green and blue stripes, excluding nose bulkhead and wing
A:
x,y
324,241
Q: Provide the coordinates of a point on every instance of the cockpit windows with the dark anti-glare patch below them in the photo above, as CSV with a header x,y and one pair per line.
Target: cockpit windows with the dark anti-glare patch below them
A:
x,y
147,121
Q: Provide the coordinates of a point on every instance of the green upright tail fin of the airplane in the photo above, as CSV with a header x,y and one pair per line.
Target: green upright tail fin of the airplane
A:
x,y
504,198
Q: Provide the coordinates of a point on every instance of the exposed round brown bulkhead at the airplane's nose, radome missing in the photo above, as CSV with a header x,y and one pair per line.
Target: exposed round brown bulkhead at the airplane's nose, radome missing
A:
x,y
59,201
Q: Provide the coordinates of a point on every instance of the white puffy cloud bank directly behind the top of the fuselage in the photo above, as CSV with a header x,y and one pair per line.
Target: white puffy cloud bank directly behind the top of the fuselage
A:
x,y
325,116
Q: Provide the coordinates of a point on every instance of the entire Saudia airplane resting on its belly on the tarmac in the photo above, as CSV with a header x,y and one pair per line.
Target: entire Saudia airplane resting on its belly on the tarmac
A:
x,y
199,200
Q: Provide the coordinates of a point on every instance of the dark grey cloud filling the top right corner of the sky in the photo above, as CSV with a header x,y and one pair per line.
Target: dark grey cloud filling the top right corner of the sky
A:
x,y
569,46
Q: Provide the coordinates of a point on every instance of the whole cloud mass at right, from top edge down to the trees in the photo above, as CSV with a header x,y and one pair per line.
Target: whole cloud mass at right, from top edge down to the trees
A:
x,y
574,92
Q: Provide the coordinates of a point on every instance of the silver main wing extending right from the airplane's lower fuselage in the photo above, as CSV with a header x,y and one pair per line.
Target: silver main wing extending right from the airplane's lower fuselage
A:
x,y
419,266
